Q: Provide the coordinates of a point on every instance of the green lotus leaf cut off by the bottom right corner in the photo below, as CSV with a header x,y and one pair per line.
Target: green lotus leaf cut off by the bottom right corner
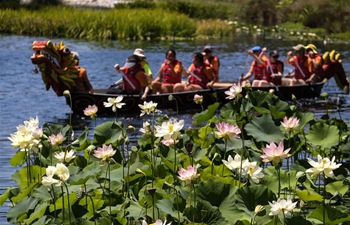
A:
x,y
333,216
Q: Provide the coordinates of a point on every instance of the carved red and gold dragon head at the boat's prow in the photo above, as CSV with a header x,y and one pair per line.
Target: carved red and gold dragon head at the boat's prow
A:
x,y
56,64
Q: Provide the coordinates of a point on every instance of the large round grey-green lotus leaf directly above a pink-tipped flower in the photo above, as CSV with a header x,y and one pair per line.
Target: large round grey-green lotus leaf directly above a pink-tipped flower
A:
x,y
263,129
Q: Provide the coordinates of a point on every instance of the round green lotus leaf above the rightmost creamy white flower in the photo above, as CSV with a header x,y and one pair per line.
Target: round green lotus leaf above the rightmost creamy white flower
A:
x,y
323,135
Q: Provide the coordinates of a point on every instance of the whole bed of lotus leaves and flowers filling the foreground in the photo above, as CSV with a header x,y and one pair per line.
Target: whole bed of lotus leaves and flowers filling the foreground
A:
x,y
228,180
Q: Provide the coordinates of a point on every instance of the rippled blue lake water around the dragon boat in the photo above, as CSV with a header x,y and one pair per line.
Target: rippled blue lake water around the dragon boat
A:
x,y
23,95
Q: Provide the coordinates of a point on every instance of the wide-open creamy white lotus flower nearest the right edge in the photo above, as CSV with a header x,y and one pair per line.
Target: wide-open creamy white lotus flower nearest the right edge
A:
x,y
323,165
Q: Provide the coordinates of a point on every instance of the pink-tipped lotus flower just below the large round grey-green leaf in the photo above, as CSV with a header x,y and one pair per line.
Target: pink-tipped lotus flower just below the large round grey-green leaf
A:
x,y
275,154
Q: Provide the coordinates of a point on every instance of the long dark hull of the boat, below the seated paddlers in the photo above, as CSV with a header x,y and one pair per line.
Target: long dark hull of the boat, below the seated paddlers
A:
x,y
183,101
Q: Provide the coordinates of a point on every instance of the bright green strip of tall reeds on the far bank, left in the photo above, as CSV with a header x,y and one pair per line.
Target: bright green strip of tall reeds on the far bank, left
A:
x,y
111,24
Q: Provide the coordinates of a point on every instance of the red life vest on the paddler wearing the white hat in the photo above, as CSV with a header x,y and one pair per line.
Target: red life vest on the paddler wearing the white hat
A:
x,y
130,80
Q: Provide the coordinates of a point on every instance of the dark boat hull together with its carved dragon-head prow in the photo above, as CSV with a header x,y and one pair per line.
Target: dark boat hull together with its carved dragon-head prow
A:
x,y
57,67
